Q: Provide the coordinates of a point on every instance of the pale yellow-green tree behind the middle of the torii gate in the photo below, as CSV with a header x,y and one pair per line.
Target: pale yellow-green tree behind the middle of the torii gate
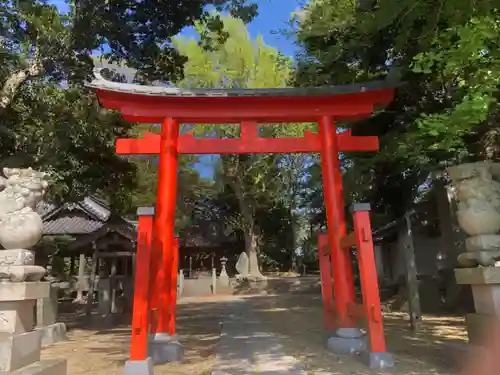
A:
x,y
239,62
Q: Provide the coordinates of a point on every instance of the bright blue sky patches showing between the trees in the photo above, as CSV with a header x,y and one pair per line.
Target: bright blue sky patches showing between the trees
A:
x,y
273,17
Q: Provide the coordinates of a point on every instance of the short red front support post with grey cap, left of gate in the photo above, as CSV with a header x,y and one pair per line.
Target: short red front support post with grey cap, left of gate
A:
x,y
140,317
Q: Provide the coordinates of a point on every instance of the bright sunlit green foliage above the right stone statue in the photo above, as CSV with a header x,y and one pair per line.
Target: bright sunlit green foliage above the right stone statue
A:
x,y
467,61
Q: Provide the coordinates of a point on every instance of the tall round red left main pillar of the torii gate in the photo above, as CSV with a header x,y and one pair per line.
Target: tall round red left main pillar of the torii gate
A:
x,y
165,217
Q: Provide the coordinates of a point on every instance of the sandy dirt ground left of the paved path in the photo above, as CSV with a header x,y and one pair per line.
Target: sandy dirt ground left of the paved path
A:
x,y
101,346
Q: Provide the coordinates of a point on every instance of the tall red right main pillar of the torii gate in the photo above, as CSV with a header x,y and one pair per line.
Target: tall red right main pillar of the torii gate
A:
x,y
332,186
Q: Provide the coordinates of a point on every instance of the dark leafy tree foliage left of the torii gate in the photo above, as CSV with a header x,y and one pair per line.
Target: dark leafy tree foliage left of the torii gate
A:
x,y
50,121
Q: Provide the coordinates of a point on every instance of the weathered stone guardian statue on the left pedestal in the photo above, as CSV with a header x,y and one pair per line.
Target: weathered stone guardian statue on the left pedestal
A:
x,y
20,226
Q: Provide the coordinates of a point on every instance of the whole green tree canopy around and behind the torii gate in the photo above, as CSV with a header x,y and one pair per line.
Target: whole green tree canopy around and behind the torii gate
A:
x,y
446,112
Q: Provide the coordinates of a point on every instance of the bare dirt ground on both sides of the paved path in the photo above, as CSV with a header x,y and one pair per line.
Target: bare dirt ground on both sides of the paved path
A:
x,y
297,319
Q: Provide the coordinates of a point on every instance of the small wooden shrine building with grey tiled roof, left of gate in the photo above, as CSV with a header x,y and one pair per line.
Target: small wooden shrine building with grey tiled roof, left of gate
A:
x,y
104,245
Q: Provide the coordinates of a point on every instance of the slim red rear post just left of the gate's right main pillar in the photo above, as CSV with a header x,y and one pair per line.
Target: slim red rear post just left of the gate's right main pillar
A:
x,y
326,281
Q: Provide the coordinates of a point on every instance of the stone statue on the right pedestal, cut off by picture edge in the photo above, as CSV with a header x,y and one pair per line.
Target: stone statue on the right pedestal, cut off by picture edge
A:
x,y
478,214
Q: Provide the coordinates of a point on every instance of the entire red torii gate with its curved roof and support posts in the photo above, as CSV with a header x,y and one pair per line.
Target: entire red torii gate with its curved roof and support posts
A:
x,y
249,107
